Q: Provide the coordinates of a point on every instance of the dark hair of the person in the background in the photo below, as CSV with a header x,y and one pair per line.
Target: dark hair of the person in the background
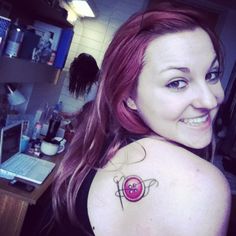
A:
x,y
83,73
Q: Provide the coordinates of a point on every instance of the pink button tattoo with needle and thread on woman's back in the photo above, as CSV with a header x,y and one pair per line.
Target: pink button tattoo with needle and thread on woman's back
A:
x,y
133,188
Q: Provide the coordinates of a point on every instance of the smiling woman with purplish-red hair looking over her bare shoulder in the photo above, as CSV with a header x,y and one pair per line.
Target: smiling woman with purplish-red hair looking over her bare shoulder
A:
x,y
131,169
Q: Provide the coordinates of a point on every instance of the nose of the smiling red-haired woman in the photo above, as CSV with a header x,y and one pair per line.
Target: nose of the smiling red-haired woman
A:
x,y
205,98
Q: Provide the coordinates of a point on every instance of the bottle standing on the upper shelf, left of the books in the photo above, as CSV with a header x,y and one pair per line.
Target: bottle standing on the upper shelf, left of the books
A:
x,y
15,38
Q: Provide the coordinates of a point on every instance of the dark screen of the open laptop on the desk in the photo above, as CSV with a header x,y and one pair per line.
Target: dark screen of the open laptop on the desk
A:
x,y
10,141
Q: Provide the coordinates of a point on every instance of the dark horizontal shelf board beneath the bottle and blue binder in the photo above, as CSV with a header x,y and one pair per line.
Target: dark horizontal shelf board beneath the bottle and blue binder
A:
x,y
24,71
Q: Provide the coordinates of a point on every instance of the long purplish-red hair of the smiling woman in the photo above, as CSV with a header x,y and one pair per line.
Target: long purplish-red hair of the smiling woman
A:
x,y
109,122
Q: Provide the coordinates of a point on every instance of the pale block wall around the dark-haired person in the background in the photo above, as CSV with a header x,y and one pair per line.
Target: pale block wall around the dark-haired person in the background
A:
x,y
92,35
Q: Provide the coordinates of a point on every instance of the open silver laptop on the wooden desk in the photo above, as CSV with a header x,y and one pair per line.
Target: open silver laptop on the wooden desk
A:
x,y
18,164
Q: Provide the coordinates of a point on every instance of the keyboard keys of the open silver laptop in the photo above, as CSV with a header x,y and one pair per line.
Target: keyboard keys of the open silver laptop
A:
x,y
23,164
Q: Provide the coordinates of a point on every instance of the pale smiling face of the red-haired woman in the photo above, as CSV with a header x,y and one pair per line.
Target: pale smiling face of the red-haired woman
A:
x,y
179,88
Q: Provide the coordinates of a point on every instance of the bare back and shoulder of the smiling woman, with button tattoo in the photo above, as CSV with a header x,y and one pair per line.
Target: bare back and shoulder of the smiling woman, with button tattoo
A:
x,y
152,187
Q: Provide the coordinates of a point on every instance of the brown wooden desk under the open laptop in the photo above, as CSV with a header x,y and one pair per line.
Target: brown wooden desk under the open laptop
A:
x,y
15,202
